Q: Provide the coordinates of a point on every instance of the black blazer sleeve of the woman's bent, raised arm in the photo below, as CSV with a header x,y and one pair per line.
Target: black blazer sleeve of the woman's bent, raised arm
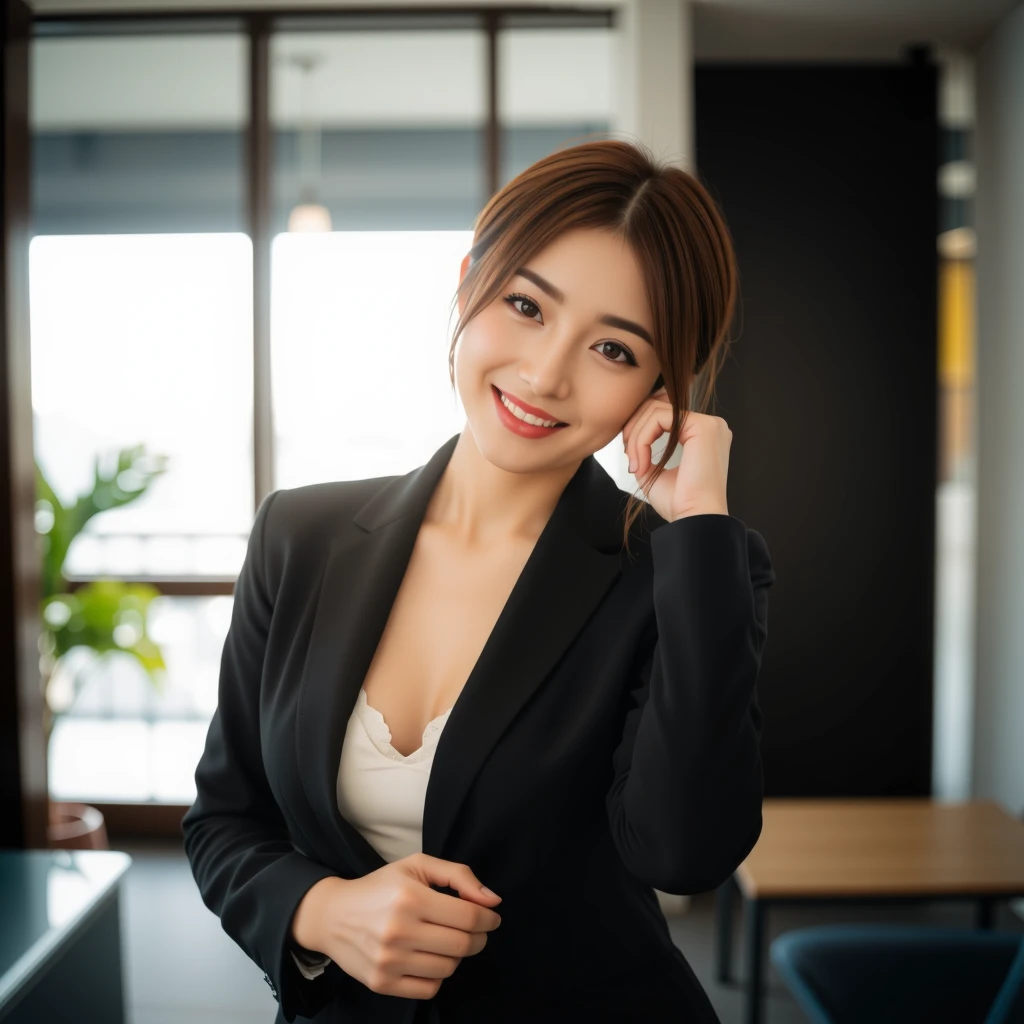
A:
x,y
685,806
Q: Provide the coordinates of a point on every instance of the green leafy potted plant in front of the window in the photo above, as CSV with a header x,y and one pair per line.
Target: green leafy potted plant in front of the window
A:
x,y
107,616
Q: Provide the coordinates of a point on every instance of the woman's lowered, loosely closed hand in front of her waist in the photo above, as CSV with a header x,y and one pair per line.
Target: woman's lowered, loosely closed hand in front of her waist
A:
x,y
392,931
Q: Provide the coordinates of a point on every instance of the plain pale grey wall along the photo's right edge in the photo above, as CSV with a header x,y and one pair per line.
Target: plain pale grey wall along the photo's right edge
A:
x,y
999,713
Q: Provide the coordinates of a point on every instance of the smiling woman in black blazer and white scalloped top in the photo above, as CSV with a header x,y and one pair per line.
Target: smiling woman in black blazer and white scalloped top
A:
x,y
494,671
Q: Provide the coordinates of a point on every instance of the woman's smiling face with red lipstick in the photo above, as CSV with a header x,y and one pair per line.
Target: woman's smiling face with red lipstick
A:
x,y
549,346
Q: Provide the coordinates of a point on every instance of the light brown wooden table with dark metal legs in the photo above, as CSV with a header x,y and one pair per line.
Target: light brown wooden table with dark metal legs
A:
x,y
895,850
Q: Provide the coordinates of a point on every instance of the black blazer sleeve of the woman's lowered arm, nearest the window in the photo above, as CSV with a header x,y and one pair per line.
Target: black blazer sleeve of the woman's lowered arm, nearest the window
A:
x,y
248,871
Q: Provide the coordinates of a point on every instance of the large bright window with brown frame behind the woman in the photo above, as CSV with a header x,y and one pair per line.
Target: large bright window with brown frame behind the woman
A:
x,y
145,331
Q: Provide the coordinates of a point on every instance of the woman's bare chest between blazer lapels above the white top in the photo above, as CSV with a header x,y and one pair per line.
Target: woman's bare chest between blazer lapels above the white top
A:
x,y
446,610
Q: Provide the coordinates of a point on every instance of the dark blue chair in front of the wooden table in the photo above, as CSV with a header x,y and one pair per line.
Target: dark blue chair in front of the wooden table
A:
x,y
904,974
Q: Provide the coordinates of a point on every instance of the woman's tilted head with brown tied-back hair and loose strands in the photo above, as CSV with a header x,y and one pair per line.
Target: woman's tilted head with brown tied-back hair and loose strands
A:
x,y
596,278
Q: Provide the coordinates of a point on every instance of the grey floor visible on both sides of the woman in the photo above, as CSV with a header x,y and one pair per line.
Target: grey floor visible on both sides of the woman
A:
x,y
182,968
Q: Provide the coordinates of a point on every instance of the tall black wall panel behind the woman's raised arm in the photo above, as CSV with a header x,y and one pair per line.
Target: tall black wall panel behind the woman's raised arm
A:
x,y
828,178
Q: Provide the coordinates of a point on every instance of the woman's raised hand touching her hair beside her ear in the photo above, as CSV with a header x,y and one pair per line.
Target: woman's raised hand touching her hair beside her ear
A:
x,y
698,485
